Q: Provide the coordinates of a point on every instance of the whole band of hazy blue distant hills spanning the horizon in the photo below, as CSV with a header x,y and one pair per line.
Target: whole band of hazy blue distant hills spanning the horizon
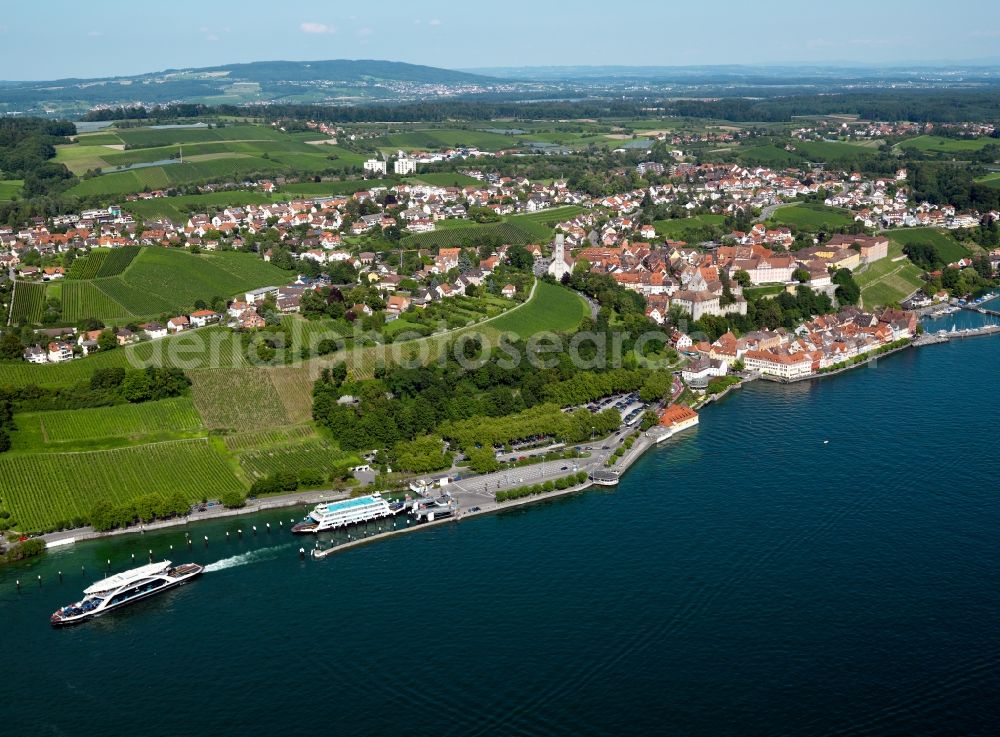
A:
x,y
346,82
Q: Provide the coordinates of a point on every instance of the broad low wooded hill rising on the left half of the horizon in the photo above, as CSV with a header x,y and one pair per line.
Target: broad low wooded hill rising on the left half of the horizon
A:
x,y
339,81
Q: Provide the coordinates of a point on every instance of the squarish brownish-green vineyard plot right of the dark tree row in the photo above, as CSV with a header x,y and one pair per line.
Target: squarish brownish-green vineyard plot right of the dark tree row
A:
x,y
237,399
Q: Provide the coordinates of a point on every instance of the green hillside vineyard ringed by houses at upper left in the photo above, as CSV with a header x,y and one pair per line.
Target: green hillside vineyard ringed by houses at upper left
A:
x,y
155,281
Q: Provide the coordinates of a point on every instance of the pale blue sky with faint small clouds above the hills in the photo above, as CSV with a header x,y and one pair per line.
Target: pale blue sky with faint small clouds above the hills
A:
x,y
57,39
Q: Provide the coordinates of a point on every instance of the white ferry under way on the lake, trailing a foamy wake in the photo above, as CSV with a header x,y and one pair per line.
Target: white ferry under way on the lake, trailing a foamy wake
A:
x,y
125,588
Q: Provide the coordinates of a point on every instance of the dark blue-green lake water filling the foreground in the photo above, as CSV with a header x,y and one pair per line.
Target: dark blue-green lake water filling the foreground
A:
x,y
744,579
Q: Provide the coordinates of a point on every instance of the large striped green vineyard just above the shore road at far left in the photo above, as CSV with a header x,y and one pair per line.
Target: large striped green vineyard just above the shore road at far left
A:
x,y
46,490
